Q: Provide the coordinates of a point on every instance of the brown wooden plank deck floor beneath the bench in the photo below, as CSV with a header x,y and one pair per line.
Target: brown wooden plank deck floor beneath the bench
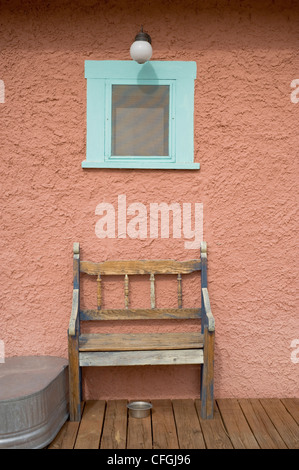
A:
x,y
176,424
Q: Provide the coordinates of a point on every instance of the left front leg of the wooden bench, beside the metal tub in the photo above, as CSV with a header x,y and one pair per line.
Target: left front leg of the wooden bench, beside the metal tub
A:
x,y
74,380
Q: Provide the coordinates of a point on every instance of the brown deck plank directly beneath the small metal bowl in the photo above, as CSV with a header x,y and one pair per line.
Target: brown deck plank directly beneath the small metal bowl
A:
x,y
139,432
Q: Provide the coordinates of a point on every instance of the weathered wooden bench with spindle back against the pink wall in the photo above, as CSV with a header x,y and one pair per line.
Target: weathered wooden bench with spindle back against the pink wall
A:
x,y
143,348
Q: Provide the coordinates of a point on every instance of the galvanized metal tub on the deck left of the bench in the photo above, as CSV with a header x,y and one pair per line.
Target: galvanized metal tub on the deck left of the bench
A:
x,y
33,400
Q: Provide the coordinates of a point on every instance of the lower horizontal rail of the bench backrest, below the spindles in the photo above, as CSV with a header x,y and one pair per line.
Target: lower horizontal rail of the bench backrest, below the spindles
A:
x,y
141,314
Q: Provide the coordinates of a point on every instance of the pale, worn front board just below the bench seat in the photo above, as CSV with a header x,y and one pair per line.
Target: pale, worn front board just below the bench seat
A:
x,y
142,358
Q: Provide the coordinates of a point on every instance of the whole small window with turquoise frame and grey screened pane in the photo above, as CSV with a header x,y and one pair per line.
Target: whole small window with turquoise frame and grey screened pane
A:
x,y
140,116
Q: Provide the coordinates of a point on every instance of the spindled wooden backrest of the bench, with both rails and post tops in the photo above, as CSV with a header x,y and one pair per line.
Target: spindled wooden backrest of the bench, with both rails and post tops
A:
x,y
140,267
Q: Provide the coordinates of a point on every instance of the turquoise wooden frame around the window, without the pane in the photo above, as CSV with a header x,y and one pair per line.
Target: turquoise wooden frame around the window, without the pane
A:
x,y
179,76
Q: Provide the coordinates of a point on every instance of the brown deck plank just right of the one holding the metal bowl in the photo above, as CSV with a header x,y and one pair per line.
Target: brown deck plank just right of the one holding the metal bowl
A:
x,y
163,425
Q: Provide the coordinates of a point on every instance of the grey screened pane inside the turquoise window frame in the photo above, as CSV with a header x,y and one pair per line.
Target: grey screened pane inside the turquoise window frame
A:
x,y
140,120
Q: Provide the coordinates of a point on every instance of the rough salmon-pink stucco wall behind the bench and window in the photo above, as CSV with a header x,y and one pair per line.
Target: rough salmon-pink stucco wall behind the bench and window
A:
x,y
246,140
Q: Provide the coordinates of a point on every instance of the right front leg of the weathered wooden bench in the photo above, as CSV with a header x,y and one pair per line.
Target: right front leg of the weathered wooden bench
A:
x,y
207,376
